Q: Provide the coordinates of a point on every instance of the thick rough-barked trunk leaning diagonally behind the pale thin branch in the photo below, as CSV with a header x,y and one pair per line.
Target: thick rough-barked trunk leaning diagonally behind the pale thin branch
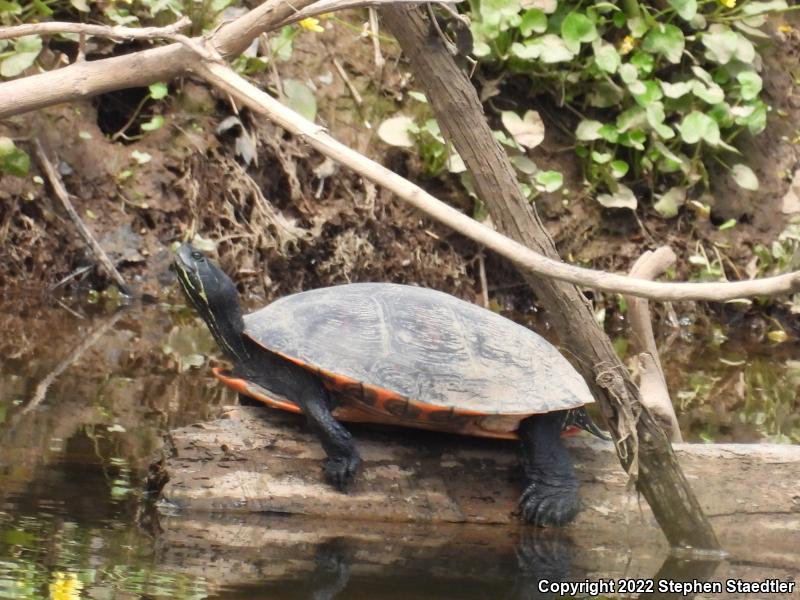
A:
x,y
642,446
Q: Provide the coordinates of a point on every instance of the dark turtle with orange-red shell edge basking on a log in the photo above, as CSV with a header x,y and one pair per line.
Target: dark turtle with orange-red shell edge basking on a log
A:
x,y
400,355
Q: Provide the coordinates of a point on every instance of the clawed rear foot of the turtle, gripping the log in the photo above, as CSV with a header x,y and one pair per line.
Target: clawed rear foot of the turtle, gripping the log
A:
x,y
550,502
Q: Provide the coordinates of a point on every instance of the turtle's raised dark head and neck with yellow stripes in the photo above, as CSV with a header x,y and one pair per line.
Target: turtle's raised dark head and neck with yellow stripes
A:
x,y
215,297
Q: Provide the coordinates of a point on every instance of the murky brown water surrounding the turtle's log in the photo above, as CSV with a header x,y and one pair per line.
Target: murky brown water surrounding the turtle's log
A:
x,y
83,405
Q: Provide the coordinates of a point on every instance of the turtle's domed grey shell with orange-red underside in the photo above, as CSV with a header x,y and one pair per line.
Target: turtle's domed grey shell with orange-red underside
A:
x,y
413,356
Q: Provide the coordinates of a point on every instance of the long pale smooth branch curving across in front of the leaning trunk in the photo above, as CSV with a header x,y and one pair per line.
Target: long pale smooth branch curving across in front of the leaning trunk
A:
x,y
526,258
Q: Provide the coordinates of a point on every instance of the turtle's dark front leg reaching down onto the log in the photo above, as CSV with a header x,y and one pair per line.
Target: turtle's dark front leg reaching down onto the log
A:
x,y
343,458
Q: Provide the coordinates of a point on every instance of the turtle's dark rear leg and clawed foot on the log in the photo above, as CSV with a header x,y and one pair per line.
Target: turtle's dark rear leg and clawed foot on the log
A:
x,y
551,497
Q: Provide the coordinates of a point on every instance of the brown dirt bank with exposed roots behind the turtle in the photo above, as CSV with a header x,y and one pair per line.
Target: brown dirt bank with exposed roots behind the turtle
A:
x,y
292,220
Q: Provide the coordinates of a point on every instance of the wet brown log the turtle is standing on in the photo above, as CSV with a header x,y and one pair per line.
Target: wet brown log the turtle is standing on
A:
x,y
258,460
